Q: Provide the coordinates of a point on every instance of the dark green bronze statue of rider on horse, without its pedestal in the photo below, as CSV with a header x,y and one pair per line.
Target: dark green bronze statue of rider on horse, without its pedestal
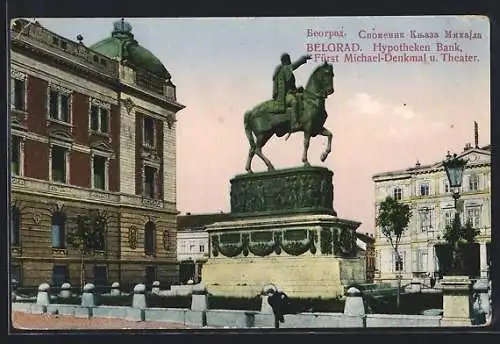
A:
x,y
290,110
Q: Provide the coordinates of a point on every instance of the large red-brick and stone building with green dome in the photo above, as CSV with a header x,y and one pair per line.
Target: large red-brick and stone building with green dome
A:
x,y
92,128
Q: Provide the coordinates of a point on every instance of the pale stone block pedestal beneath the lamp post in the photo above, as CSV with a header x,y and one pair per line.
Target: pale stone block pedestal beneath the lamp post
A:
x,y
456,300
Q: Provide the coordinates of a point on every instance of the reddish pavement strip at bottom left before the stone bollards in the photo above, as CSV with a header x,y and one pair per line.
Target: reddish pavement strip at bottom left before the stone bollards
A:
x,y
28,321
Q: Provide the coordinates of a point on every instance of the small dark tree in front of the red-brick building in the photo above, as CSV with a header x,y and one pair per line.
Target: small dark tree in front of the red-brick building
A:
x,y
88,236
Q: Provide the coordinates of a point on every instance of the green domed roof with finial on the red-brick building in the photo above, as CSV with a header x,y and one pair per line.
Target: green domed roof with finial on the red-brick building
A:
x,y
123,47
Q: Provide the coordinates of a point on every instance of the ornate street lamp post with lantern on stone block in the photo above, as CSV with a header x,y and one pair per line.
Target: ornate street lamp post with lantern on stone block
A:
x,y
454,168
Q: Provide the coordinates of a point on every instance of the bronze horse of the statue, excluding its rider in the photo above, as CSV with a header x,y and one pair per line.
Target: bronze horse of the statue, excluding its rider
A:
x,y
263,124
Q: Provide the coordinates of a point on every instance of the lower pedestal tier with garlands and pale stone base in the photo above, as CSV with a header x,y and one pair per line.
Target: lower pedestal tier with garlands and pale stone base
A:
x,y
304,256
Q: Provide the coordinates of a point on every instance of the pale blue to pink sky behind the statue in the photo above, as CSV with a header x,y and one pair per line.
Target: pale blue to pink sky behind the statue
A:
x,y
383,115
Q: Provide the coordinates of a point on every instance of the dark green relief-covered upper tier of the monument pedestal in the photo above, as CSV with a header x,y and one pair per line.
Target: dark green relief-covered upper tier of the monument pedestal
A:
x,y
295,190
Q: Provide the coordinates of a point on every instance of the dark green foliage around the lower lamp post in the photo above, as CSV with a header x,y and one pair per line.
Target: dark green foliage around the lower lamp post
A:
x,y
456,234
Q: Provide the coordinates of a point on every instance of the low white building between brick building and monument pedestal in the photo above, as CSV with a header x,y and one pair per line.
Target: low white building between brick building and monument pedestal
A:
x,y
192,243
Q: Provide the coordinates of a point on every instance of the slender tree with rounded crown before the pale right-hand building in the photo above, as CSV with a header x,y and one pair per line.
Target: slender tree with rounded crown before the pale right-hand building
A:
x,y
393,219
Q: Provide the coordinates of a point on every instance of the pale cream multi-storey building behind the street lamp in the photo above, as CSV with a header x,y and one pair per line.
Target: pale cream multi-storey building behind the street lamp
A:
x,y
426,189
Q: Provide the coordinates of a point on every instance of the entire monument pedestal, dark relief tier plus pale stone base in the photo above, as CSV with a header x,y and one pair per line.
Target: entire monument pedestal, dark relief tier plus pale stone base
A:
x,y
283,231
